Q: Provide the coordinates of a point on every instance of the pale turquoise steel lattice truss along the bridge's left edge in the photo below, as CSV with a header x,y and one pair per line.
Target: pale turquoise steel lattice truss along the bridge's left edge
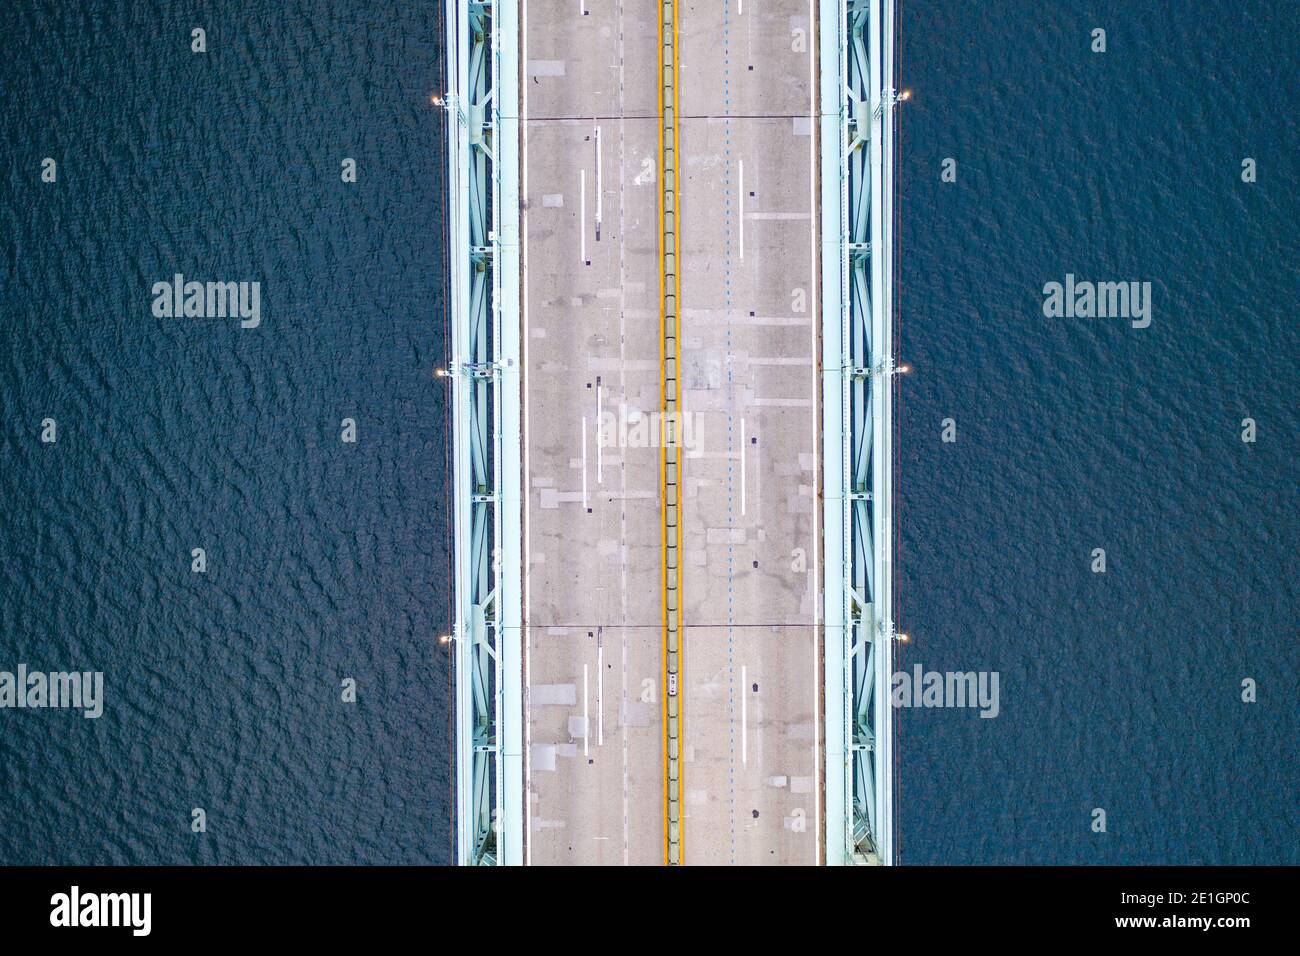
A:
x,y
483,254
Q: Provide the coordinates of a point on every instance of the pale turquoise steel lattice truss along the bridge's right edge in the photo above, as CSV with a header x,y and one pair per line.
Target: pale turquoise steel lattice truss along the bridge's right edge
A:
x,y
865,495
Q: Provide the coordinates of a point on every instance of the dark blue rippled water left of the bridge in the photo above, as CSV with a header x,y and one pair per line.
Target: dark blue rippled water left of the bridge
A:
x,y
327,561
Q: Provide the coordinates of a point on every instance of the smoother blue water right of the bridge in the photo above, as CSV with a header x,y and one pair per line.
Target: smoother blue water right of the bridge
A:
x,y
1120,690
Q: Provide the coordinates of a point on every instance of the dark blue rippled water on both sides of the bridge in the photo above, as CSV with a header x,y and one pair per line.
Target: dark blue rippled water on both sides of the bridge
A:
x,y
1120,691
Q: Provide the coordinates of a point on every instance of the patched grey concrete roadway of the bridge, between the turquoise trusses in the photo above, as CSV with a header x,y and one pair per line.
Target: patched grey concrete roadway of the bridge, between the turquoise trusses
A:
x,y
592,542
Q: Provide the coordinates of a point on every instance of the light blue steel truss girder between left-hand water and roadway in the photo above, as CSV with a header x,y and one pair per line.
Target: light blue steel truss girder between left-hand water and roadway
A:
x,y
476,374
